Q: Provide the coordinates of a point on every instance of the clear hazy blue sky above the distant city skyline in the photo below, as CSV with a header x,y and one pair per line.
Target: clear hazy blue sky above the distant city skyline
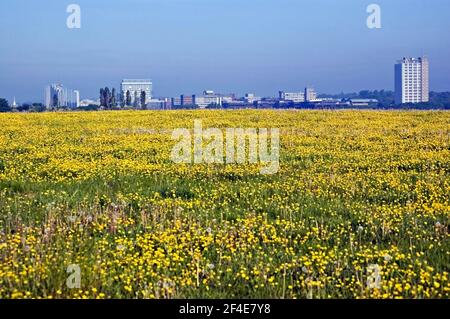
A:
x,y
230,46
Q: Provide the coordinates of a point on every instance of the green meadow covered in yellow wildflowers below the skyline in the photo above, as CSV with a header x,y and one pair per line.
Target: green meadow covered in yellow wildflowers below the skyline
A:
x,y
360,207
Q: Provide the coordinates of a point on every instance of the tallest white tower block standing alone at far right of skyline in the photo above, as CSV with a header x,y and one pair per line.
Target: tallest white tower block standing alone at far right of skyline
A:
x,y
412,80
